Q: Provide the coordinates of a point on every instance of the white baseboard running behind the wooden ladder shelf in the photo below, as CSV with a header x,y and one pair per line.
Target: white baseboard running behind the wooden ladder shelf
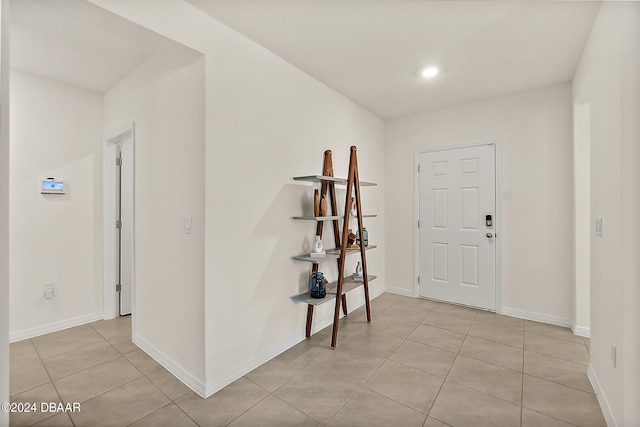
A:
x,y
356,300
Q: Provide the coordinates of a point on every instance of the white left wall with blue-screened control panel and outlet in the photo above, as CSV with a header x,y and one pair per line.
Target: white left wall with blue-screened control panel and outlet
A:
x,y
56,131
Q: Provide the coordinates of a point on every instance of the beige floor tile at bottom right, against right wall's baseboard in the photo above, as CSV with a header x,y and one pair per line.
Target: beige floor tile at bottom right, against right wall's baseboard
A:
x,y
561,402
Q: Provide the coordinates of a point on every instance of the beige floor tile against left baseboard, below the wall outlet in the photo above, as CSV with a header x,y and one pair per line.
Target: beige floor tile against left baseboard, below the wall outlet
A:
x,y
66,341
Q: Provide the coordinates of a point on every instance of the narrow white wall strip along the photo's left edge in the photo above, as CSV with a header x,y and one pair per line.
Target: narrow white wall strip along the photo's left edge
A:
x,y
4,208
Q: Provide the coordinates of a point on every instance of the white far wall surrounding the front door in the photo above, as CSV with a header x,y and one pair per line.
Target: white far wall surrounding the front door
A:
x,y
537,217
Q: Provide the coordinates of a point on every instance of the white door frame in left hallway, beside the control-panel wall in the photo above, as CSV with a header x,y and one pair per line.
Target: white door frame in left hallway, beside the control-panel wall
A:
x,y
125,136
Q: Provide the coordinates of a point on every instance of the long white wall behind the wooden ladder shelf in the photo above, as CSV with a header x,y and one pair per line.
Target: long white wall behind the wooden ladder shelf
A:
x,y
266,121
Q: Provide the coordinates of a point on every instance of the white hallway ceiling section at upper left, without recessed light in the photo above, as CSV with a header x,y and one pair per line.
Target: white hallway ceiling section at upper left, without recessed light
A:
x,y
74,42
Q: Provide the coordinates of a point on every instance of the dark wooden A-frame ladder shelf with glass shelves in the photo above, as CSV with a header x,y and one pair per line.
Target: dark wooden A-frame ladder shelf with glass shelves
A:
x,y
328,190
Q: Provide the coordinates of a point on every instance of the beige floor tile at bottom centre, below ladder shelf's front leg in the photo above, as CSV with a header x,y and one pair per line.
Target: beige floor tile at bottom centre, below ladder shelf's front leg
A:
x,y
317,394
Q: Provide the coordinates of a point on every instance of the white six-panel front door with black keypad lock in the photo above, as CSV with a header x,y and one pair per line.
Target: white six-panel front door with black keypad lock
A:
x,y
457,225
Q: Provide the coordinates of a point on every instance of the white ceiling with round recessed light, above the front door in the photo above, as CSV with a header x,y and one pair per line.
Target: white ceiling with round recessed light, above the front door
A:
x,y
372,51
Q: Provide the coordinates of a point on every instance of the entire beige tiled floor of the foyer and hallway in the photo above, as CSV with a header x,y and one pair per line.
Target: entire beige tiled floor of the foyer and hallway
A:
x,y
419,363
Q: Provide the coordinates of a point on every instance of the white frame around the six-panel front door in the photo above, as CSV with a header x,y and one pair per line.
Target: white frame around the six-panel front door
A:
x,y
497,144
